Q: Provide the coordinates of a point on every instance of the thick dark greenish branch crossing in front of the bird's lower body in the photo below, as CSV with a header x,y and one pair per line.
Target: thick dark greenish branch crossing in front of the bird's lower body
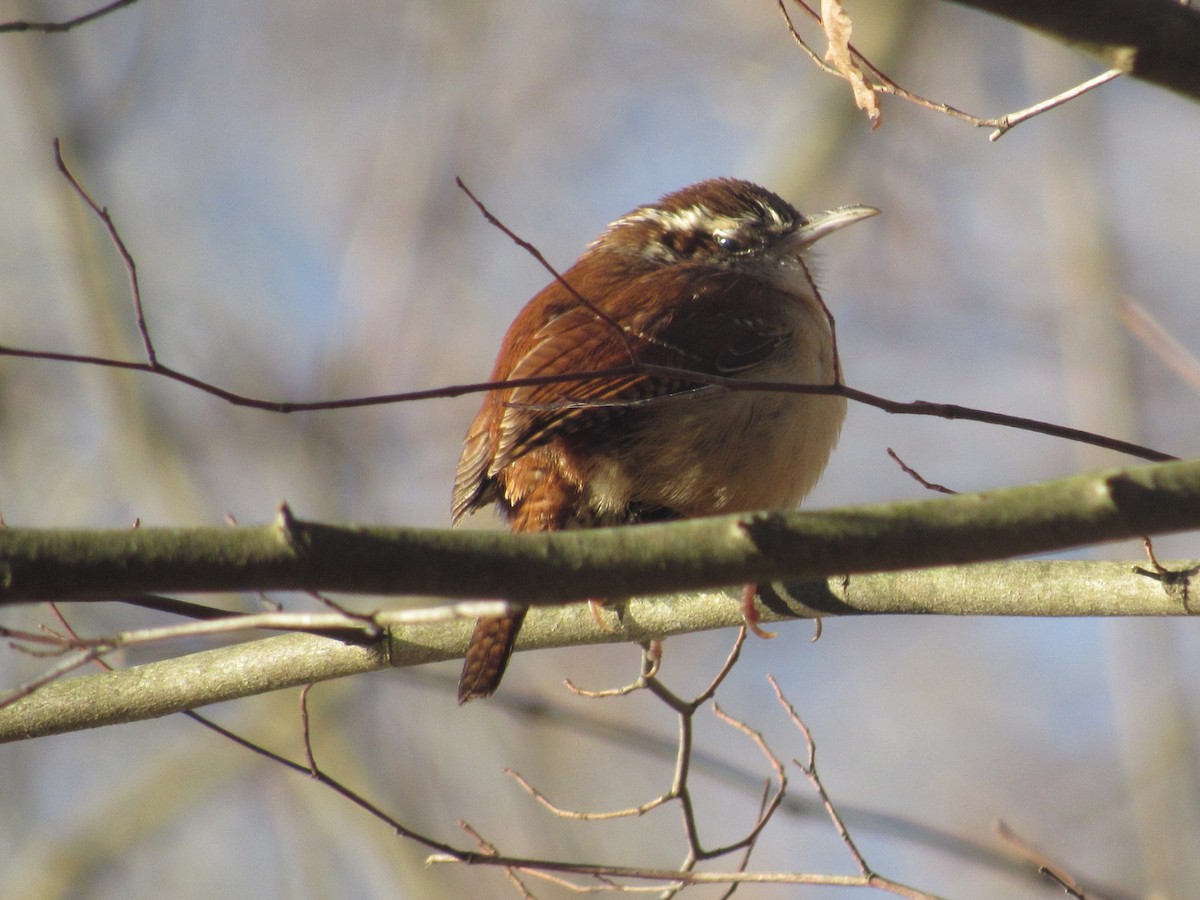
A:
x,y
1118,505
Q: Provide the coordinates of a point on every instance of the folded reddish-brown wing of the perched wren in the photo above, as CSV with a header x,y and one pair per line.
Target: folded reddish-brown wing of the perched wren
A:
x,y
729,325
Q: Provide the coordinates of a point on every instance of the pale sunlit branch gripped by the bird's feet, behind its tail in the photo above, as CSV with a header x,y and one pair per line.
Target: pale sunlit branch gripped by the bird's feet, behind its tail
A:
x,y
1039,589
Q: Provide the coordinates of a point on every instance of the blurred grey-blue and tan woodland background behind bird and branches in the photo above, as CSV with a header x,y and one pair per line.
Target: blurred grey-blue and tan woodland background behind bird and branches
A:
x,y
284,176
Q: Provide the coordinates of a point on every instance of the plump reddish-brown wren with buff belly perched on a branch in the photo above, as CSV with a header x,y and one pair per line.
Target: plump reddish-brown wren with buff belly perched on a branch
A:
x,y
711,279
